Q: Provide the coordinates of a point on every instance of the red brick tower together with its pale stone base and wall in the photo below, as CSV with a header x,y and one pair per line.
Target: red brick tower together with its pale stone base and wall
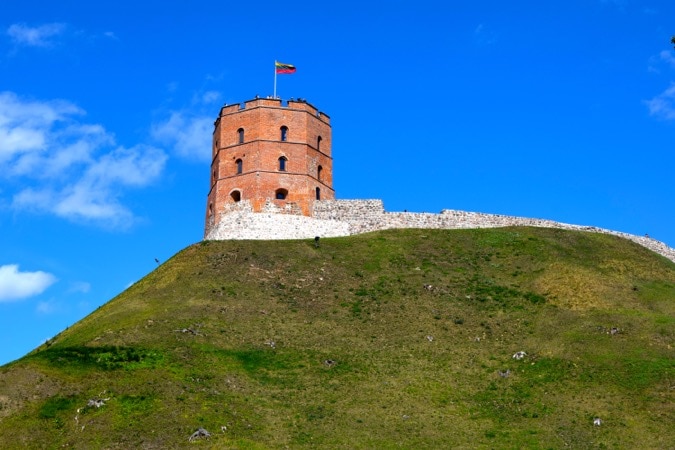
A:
x,y
272,178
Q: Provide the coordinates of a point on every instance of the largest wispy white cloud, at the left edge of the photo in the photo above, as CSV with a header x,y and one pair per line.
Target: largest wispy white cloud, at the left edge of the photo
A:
x,y
60,165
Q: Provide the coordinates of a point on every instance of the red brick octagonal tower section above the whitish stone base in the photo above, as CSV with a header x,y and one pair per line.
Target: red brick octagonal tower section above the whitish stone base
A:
x,y
267,156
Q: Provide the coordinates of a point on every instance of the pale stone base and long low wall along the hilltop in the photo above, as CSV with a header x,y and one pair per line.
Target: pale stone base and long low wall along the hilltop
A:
x,y
331,218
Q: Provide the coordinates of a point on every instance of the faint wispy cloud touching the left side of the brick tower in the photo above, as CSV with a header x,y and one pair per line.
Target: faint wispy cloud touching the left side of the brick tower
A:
x,y
188,130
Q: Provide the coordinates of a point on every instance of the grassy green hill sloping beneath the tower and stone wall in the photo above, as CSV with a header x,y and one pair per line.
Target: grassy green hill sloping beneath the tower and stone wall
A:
x,y
397,339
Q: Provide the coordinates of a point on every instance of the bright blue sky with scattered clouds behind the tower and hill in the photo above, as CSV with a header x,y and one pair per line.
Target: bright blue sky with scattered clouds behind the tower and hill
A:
x,y
562,110
